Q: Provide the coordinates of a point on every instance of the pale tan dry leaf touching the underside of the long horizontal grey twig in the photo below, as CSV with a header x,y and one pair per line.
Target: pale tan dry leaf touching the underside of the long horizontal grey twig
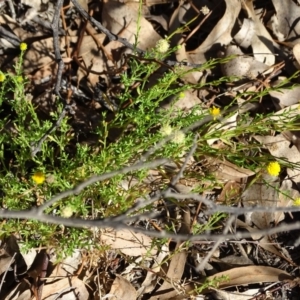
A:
x,y
129,243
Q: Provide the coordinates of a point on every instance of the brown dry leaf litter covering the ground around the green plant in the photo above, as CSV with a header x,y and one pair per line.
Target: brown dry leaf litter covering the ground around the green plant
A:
x,y
258,37
